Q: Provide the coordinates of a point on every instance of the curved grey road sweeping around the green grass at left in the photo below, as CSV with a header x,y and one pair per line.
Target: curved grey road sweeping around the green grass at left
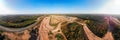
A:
x,y
19,29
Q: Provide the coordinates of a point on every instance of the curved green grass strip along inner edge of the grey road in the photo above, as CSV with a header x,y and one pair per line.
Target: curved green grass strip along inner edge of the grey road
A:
x,y
17,25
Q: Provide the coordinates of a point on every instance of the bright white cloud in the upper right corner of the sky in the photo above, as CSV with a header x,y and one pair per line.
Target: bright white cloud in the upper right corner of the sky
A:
x,y
112,7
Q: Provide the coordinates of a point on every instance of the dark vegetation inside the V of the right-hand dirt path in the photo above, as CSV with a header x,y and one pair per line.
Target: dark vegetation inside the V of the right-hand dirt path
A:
x,y
100,29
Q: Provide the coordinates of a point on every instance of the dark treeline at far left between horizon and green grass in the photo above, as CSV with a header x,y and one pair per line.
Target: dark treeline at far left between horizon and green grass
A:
x,y
17,18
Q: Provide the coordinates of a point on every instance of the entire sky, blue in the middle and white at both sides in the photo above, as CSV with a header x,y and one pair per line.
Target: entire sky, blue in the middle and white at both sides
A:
x,y
59,6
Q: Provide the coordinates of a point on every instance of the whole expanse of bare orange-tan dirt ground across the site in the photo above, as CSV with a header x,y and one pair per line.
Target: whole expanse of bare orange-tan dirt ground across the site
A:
x,y
47,30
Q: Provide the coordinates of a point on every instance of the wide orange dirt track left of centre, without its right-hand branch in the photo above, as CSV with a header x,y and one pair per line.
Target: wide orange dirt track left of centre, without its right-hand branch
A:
x,y
44,28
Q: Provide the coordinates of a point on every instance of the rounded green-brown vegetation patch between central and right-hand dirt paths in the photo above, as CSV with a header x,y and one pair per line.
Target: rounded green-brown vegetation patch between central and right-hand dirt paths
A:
x,y
73,31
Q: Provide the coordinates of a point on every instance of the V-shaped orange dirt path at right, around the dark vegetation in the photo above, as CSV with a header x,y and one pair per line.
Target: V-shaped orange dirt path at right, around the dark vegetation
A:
x,y
92,36
